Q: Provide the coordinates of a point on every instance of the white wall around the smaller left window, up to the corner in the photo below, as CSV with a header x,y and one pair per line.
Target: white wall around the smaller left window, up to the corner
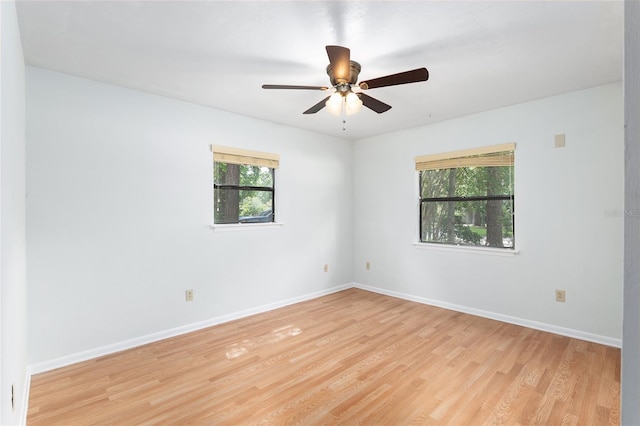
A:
x,y
120,206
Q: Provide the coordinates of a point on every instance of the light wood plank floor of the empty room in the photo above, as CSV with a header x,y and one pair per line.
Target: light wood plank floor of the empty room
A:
x,y
353,357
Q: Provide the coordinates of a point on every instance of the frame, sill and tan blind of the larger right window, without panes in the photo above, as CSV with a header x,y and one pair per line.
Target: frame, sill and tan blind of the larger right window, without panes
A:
x,y
503,155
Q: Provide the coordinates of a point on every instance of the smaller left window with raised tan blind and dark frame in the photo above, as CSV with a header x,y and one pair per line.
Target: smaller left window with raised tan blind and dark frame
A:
x,y
243,186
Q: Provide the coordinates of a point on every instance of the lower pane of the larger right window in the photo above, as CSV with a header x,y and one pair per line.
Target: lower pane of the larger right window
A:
x,y
478,222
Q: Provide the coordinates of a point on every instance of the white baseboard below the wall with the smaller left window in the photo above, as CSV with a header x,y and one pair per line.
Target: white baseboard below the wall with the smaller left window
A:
x,y
42,367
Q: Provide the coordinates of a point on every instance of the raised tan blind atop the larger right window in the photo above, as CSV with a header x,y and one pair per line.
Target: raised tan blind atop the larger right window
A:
x,y
488,156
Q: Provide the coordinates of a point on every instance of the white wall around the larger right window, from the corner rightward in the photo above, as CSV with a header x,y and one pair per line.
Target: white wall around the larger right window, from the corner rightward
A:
x,y
569,216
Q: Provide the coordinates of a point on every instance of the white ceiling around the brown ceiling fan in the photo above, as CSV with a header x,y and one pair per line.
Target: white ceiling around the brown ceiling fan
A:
x,y
480,54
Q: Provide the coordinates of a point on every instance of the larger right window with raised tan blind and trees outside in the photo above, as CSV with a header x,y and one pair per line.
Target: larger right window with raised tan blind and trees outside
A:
x,y
467,197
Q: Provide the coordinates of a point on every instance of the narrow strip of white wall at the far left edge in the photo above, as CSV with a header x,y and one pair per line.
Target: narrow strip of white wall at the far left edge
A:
x,y
13,290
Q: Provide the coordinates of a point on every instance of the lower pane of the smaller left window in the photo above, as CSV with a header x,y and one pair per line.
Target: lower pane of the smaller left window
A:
x,y
234,205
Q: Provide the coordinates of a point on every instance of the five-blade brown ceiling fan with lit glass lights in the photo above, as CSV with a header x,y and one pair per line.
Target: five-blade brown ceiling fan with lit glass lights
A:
x,y
343,74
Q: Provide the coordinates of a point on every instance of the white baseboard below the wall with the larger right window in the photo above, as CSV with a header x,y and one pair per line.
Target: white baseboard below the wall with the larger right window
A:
x,y
577,334
